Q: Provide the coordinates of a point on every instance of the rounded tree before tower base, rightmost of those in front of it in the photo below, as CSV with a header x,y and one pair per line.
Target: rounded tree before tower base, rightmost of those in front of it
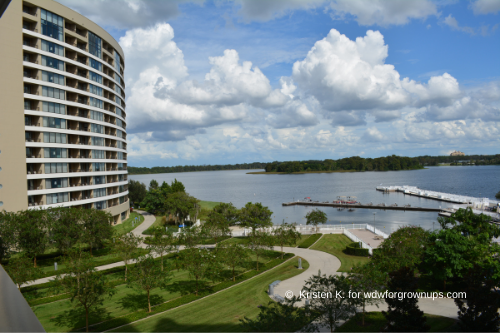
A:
x,y
96,227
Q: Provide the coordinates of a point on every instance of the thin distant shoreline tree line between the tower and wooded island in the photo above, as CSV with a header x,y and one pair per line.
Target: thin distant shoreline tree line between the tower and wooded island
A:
x,y
192,168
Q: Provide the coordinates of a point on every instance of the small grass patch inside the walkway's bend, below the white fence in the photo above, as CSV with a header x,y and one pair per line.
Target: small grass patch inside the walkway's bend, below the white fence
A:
x,y
335,245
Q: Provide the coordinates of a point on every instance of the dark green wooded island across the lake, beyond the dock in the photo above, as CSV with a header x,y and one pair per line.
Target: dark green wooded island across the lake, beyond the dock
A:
x,y
354,163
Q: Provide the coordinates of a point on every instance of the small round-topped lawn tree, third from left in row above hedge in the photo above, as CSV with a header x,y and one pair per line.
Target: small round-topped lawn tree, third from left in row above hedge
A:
x,y
198,261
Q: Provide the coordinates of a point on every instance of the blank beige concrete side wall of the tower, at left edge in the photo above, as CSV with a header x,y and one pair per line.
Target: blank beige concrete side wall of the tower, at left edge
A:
x,y
14,192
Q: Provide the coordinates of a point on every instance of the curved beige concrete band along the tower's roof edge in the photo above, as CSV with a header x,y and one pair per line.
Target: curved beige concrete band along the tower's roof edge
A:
x,y
71,15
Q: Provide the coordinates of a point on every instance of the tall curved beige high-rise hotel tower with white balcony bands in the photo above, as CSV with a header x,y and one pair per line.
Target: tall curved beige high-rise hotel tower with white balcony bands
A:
x,y
62,111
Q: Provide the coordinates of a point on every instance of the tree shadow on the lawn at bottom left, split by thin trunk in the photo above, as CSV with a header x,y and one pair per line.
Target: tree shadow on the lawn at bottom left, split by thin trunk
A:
x,y
75,318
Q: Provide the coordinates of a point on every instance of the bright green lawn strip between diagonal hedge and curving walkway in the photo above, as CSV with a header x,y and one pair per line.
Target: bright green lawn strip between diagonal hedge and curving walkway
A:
x,y
220,312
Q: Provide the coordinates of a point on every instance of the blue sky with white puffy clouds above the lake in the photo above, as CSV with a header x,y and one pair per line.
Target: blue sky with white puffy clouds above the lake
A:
x,y
217,82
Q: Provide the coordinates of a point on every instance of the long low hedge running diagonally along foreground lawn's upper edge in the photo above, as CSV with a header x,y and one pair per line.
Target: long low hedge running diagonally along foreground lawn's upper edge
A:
x,y
141,314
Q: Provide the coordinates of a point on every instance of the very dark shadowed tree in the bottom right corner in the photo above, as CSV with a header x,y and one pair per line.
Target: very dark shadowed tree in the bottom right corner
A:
x,y
478,308
